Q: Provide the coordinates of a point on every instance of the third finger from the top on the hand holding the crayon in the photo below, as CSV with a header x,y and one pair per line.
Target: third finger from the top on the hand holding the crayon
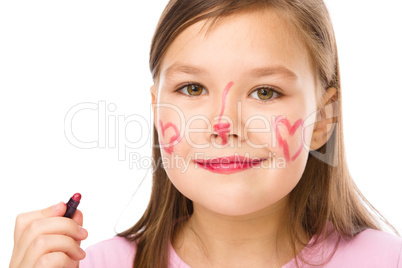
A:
x,y
53,243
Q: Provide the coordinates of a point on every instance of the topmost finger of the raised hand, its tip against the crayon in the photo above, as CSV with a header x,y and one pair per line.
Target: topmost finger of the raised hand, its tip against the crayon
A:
x,y
25,219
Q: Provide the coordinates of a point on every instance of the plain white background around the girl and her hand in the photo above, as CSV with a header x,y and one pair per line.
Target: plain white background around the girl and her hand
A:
x,y
57,54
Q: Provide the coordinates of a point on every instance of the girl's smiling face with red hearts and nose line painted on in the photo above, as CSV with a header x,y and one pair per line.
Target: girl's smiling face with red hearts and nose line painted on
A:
x,y
243,89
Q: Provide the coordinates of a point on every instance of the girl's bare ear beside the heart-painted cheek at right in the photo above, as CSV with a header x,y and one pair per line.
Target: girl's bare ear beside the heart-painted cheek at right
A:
x,y
325,119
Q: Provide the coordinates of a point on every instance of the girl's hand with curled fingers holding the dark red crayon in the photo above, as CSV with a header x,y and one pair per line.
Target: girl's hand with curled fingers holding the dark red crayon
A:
x,y
44,238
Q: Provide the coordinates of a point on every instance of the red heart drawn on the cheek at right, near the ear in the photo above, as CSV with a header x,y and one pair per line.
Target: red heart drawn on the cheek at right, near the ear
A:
x,y
291,129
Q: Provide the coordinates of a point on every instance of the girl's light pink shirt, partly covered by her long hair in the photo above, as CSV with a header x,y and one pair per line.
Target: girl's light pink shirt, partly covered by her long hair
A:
x,y
370,248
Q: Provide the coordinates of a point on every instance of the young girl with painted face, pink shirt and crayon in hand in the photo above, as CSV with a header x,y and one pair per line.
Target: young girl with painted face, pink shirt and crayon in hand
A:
x,y
248,94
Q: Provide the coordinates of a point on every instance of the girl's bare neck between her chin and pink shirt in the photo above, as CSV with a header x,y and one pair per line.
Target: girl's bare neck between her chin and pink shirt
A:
x,y
255,240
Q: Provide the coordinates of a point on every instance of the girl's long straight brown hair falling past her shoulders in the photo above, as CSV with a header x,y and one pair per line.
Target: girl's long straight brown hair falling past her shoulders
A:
x,y
325,193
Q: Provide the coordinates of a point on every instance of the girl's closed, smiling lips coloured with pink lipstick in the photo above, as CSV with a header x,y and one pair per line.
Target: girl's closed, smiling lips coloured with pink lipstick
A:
x,y
228,165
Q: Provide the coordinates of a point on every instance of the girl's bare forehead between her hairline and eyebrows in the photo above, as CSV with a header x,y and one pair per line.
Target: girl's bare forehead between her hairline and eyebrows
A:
x,y
238,43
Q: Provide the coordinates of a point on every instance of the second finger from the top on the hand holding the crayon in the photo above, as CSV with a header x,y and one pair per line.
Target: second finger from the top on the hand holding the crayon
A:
x,y
55,225
